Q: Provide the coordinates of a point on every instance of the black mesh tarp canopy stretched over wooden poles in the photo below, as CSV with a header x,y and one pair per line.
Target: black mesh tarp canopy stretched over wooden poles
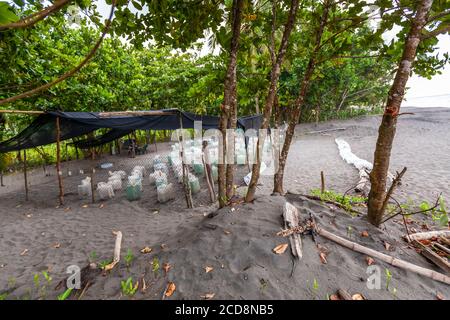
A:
x,y
42,130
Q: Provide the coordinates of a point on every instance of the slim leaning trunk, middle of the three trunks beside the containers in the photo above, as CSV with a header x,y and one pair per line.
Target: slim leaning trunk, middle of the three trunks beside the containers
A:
x,y
274,77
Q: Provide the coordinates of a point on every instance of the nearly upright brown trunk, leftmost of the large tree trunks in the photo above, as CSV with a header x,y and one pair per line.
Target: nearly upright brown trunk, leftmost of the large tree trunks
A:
x,y
228,116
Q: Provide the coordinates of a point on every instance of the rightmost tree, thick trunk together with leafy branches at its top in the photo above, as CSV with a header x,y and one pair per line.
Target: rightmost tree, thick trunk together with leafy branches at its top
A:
x,y
416,31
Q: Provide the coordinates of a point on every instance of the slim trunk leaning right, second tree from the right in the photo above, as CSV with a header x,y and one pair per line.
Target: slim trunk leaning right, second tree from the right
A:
x,y
295,114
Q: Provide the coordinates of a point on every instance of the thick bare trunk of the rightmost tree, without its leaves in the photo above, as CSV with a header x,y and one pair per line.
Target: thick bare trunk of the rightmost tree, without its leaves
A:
x,y
386,132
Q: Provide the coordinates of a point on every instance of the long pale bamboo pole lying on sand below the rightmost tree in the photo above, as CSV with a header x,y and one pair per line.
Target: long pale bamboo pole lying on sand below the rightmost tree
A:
x,y
384,257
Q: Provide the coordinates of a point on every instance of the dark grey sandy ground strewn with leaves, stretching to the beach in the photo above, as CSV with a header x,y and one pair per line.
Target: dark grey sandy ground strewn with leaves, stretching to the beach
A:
x,y
237,242
